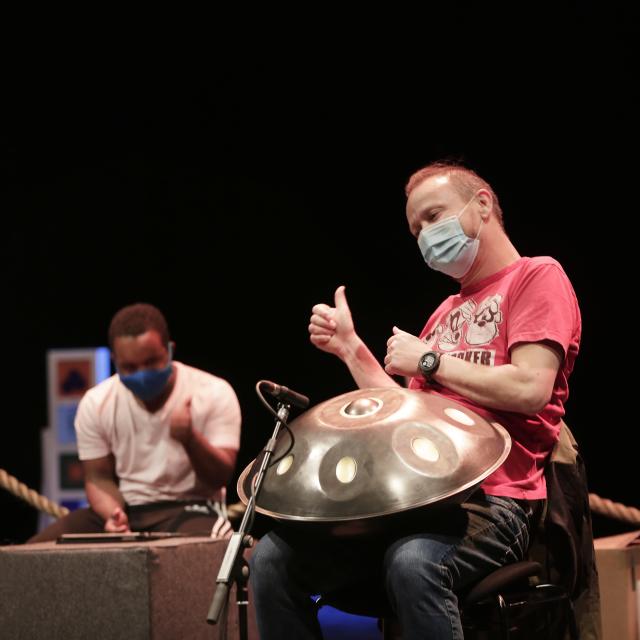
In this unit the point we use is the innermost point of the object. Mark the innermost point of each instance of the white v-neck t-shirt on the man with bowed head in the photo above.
(151, 465)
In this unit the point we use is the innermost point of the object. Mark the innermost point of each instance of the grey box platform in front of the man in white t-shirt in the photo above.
(156, 590)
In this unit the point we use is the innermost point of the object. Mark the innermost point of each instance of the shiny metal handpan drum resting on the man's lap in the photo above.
(363, 456)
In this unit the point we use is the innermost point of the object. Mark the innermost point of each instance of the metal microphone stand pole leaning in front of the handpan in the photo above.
(234, 567)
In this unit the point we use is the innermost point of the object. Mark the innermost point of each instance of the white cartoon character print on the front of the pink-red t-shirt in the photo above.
(469, 324)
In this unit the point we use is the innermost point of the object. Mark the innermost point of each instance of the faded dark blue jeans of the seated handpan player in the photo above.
(422, 569)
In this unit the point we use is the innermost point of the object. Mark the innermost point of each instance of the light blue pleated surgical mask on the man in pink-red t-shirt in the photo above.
(447, 248)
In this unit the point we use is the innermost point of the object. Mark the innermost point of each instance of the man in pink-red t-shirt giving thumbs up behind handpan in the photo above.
(504, 346)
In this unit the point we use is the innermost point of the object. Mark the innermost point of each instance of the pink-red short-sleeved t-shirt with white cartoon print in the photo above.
(529, 301)
